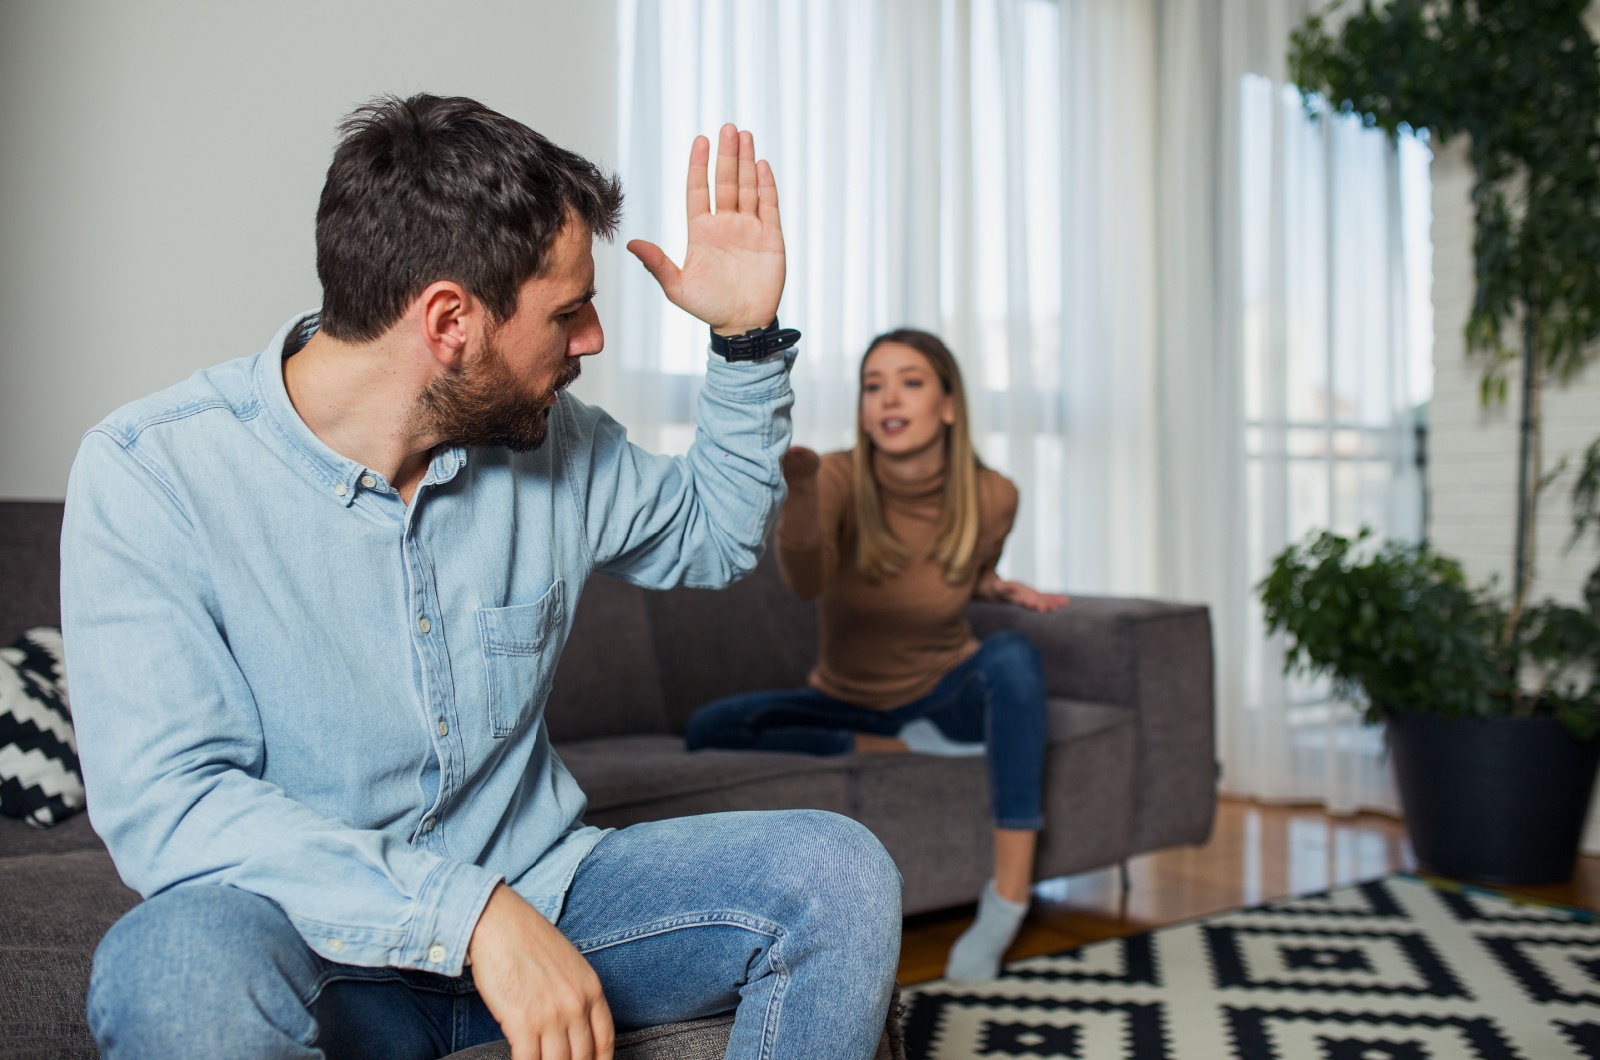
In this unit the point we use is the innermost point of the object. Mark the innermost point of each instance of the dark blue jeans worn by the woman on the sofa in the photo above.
(996, 697)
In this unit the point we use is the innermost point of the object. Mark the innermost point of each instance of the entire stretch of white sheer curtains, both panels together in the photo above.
(1185, 313)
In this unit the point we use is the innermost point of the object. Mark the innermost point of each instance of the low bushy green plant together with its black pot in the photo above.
(1495, 744)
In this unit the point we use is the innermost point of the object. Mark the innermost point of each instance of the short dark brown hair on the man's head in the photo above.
(433, 188)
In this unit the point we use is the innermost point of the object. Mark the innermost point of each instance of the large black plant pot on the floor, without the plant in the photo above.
(1498, 800)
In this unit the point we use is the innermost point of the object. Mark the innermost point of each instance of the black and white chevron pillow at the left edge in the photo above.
(39, 755)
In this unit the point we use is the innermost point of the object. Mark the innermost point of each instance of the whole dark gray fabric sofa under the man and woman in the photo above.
(1130, 768)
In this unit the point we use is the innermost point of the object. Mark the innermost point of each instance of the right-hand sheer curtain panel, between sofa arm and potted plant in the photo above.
(1295, 359)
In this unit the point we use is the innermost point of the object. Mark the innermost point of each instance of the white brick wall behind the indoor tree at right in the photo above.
(1473, 451)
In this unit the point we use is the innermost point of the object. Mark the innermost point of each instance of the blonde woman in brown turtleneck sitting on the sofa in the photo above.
(897, 537)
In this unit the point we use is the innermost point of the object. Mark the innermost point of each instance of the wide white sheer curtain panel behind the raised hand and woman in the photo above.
(942, 166)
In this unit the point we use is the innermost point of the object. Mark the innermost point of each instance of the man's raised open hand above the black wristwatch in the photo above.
(734, 270)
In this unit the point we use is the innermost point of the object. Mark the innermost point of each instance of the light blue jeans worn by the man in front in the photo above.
(793, 918)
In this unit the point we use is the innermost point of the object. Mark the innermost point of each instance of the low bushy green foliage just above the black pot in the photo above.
(1401, 628)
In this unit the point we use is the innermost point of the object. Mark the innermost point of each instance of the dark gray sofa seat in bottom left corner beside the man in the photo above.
(54, 912)
